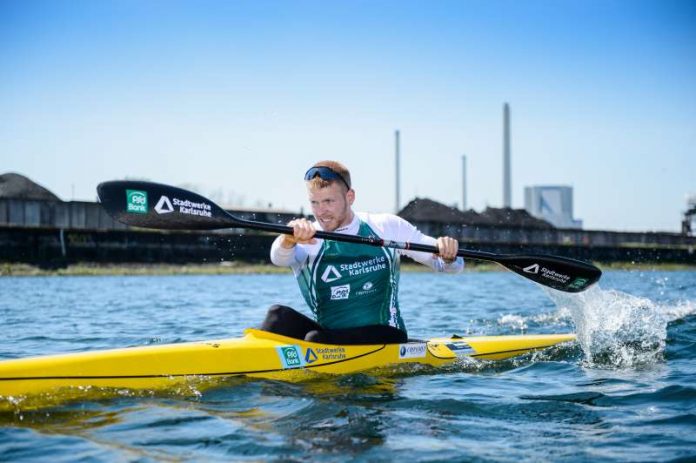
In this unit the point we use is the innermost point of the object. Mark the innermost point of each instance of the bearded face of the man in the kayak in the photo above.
(331, 205)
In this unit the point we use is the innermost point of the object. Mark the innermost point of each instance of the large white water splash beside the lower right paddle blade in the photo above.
(617, 329)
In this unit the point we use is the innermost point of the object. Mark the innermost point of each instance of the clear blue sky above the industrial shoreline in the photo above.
(239, 98)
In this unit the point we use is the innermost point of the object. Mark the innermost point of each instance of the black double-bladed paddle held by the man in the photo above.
(153, 205)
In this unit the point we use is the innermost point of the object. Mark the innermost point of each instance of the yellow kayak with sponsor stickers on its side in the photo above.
(257, 354)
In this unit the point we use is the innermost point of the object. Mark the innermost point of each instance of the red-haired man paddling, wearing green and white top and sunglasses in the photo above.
(352, 289)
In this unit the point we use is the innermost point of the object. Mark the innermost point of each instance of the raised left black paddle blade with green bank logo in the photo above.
(152, 205)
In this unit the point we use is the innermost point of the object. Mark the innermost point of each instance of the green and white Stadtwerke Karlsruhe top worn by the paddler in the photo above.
(349, 285)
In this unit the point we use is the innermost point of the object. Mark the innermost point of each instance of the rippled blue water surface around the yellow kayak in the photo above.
(626, 391)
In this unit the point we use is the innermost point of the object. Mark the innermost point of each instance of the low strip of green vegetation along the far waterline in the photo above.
(242, 268)
